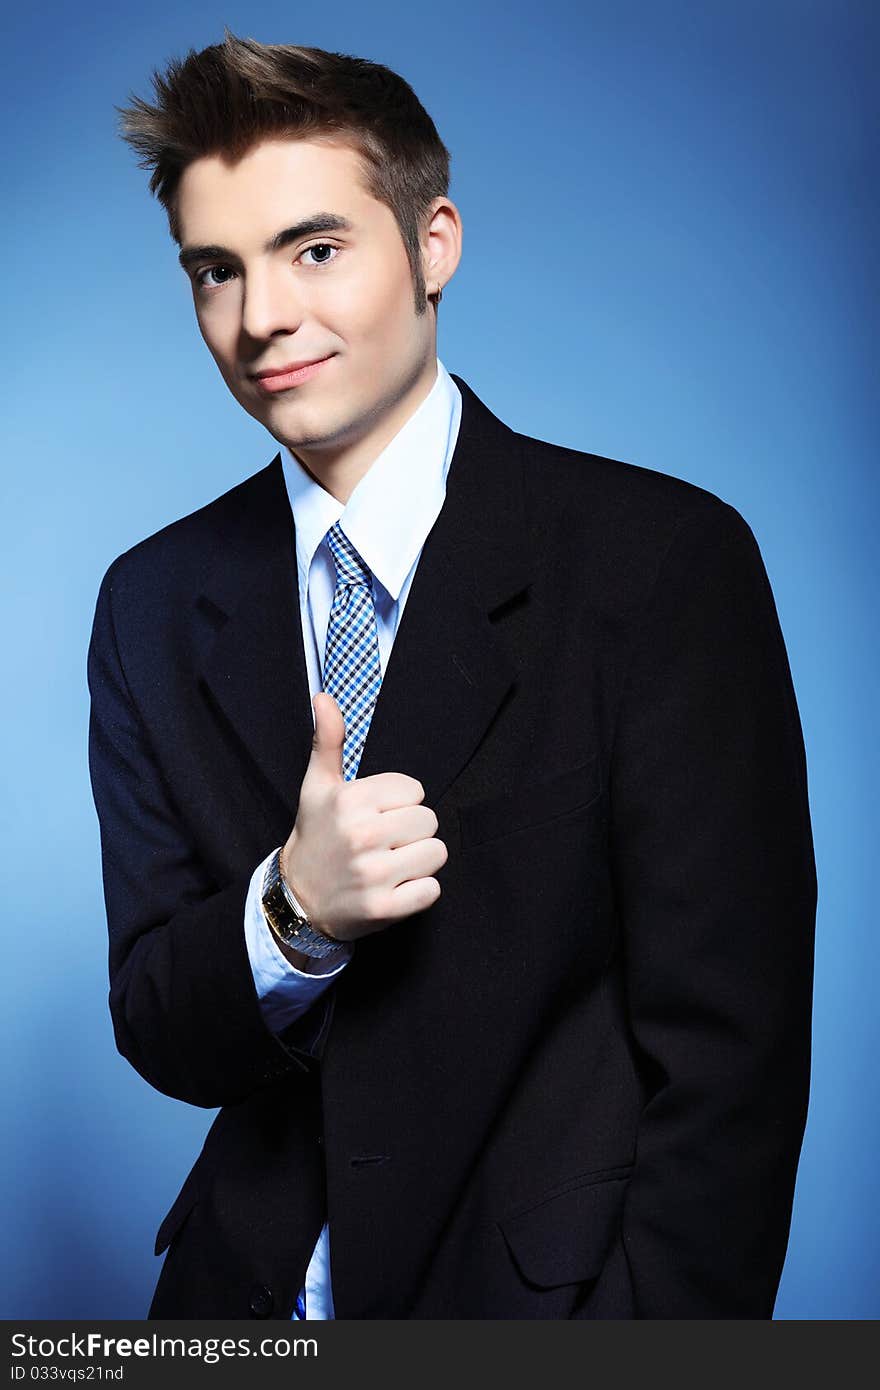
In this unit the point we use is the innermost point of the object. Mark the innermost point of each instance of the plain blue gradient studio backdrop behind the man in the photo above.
(668, 216)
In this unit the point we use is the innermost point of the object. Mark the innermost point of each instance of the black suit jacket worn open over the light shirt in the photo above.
(576, 1086)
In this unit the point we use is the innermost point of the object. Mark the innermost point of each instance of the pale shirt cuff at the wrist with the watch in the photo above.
(284, 992)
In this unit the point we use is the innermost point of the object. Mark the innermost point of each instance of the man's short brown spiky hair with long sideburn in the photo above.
(233, 95)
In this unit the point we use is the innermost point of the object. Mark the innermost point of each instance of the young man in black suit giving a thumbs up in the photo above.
(451, 786)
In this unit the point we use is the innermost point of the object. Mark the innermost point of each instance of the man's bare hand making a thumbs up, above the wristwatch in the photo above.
(362, 854)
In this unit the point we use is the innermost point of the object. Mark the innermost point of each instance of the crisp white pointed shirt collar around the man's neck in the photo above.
(394, 507)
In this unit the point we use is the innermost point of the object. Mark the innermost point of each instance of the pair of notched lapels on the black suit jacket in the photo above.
(448, 671)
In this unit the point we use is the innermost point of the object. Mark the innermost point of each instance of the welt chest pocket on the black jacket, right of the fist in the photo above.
(530, 806)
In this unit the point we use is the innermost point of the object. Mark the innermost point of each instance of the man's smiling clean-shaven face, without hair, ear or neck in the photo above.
(344, 295)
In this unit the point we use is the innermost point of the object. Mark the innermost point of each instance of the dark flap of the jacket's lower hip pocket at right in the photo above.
(565, 1238)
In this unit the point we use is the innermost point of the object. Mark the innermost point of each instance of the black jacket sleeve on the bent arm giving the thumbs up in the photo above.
(183, 997)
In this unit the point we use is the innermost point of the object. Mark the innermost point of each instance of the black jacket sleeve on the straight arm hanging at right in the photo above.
(715, 878)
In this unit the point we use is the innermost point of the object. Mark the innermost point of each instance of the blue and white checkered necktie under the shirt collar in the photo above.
(352, 671)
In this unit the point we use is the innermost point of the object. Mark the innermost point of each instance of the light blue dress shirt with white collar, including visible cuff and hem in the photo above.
(387, 519)
